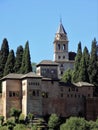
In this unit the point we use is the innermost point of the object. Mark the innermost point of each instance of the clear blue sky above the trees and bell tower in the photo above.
(37, 21)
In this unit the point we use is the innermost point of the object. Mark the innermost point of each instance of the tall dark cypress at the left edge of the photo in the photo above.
(3, 56)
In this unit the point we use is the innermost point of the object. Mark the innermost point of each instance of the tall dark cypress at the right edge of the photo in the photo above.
(93, 64)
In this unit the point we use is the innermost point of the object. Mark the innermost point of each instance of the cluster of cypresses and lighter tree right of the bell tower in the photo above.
(85, 67)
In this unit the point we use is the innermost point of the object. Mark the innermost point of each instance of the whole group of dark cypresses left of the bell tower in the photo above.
(14, 63)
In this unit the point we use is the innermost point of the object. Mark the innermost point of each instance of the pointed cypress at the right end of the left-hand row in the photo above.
(26, 60)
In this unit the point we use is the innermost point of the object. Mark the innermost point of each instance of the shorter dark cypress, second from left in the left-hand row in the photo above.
(9, 66)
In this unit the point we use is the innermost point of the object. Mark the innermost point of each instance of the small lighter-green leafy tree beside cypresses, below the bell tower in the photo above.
(67, 76)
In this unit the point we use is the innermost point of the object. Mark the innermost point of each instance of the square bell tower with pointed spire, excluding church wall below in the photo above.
(61, 45)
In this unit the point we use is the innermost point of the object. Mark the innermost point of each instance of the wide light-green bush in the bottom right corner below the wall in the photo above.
(77, 123)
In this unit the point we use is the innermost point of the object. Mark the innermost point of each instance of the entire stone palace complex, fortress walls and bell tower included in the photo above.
(42, 93)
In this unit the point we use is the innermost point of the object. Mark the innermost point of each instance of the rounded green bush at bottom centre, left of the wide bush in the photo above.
(53, 121)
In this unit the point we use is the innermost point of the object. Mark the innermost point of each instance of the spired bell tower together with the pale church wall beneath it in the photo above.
(61, 54)
